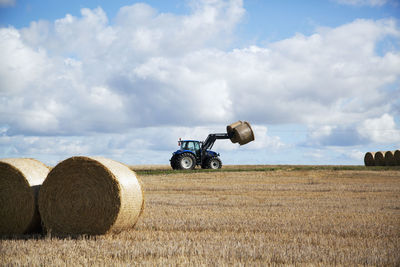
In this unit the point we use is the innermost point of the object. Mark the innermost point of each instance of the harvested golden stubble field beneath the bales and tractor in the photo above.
(270, 215)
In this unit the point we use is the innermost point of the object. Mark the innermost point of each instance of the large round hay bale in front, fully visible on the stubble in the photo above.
(90, 195)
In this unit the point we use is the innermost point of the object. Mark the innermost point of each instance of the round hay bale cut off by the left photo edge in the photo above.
(20, 180)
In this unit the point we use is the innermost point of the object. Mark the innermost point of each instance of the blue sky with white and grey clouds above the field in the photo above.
(318, 80)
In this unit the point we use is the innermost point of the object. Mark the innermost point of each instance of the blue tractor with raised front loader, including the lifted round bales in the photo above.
(193, 152)
